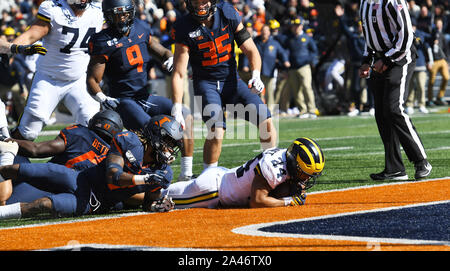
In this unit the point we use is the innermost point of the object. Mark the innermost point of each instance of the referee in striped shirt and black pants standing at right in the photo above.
(389, 61)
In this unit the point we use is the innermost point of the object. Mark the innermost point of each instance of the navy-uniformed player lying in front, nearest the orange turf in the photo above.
(136, 163)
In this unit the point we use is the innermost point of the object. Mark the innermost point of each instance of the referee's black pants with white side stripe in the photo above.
(394, 125)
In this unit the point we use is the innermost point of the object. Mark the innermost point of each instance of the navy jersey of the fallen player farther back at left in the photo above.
(84, 148)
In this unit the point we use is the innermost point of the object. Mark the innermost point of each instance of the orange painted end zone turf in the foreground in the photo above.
(212, 228)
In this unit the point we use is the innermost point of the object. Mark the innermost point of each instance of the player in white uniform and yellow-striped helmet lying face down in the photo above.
(274, 178)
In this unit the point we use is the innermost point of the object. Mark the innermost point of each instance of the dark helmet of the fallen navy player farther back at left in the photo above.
(106, 124)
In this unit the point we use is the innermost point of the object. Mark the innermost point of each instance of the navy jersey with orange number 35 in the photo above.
(211, 51)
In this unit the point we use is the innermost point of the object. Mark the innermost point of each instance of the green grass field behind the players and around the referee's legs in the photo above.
(352, 148)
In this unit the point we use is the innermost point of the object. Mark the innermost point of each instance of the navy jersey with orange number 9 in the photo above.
(127, 58)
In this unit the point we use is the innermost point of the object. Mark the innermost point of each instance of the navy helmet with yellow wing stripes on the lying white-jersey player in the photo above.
(305, 161)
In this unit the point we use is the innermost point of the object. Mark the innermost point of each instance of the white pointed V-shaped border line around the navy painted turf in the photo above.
(253, 230)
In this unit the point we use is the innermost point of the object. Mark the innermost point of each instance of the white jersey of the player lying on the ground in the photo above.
(236, 184)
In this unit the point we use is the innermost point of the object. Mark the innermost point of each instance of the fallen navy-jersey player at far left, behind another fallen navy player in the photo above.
(77, 147)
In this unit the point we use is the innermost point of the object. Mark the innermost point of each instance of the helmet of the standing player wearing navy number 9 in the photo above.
(119, 14)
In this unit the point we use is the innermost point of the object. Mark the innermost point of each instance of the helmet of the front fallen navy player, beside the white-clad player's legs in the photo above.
(165, 135)
